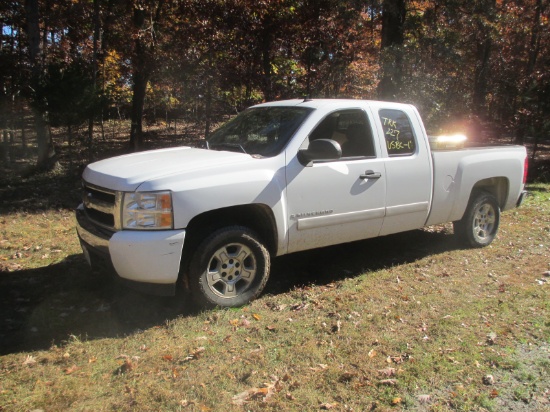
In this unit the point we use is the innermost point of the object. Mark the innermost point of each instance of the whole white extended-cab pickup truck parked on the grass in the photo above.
(280, 178)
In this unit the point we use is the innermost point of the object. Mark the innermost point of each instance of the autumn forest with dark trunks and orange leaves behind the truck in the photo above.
(76, 64)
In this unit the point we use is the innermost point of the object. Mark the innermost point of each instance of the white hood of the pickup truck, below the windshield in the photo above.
(128, 172)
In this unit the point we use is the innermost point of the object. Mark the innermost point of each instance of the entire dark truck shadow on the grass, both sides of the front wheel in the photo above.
(50, 305)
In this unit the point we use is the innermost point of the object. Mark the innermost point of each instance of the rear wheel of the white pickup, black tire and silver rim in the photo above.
(479, 225)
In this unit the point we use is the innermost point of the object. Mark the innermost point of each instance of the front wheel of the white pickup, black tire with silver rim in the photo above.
(229, 268)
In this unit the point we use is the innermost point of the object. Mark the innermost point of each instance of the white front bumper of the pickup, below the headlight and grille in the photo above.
(150, 259)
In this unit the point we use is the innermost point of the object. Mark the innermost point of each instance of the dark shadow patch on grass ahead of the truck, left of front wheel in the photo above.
(49, 305)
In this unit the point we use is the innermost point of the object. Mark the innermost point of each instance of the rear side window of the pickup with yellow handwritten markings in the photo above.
(398, 133)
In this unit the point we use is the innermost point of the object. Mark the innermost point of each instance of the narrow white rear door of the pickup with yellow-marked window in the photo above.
(408, 171)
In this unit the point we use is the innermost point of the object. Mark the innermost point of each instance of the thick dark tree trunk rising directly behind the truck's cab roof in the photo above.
(393, 31)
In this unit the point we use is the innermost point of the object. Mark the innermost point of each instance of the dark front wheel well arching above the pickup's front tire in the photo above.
(257, 217)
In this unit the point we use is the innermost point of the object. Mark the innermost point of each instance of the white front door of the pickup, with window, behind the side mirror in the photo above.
(341, 200)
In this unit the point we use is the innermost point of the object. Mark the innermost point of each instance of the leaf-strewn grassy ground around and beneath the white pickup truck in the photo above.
(405, 322)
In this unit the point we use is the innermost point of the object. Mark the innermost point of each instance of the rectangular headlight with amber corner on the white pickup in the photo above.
(147, 210)
